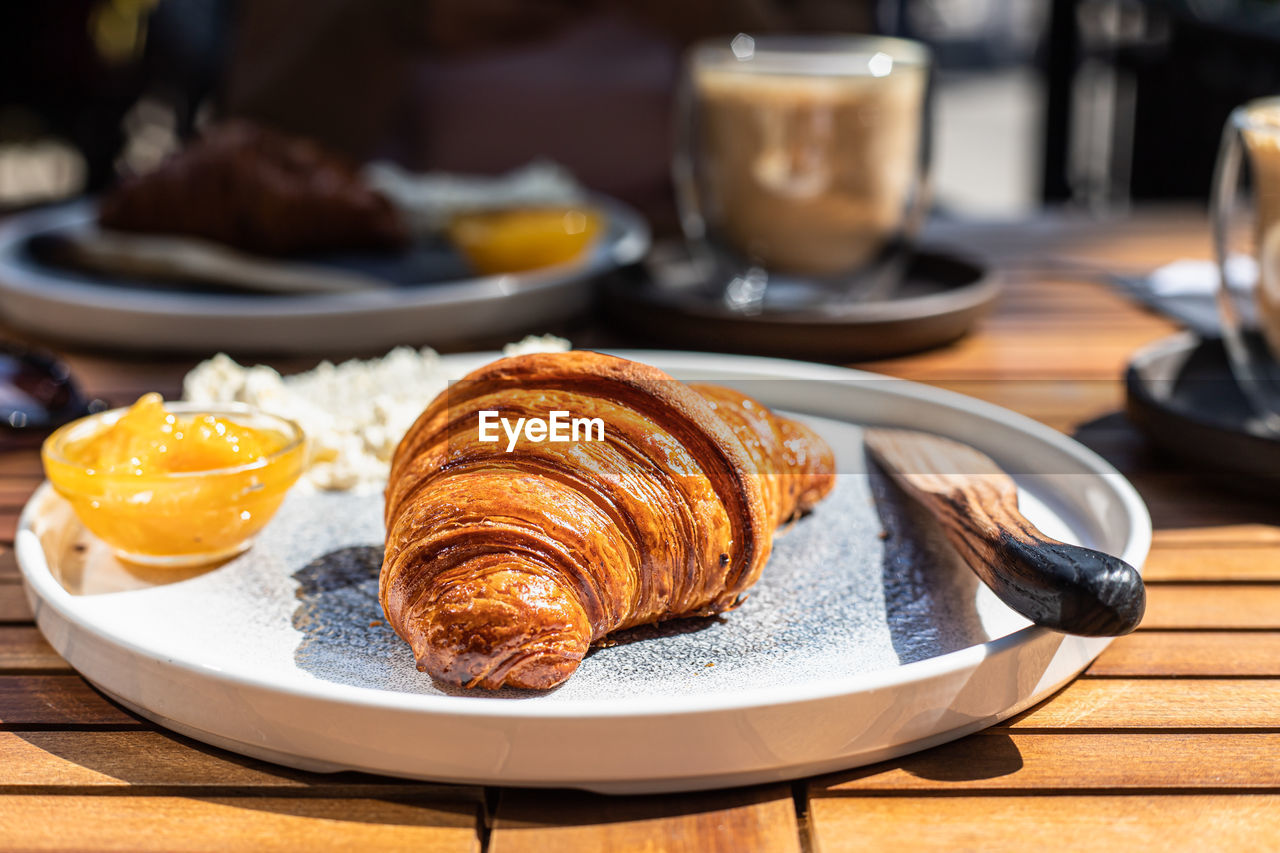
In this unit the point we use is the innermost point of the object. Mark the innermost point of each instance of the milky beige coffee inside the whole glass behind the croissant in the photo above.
(811, 171)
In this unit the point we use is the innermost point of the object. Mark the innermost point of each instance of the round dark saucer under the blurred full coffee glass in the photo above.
(941, 298)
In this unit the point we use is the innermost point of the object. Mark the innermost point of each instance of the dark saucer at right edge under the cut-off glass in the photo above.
(1183, 398)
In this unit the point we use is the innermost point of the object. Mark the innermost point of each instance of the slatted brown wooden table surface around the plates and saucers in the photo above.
(1171, 741)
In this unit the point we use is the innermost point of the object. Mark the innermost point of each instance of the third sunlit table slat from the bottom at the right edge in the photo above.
(1159, 704)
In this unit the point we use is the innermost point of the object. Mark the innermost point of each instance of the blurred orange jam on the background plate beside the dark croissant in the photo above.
(514, 241)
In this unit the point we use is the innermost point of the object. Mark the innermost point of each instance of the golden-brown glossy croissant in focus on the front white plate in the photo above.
(504, 568)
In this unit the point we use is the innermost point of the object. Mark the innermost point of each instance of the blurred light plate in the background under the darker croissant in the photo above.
(71, 307)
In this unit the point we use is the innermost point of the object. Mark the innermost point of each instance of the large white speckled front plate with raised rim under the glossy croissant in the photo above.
(852, 650)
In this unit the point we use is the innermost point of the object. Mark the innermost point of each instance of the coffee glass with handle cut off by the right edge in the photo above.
(1246, 218)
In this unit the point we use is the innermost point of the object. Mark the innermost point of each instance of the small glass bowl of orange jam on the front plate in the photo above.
(176, 486)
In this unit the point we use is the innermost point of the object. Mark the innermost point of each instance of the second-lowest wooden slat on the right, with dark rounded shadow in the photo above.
(1003, 761)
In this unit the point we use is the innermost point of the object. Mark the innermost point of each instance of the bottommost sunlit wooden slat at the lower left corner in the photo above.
(44, 823)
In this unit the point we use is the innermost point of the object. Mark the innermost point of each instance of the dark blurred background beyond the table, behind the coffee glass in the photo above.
(1099, 104)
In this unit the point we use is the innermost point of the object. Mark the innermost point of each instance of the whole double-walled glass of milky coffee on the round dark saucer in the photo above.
(802, 166)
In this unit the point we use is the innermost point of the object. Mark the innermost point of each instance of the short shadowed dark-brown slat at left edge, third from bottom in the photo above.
(57, 701)
